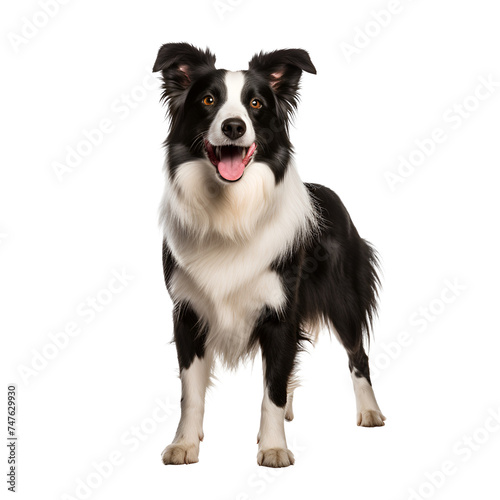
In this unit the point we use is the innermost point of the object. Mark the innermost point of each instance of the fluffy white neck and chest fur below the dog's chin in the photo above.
(224, 239)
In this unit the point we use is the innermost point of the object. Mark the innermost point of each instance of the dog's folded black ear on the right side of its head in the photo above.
(283, 69)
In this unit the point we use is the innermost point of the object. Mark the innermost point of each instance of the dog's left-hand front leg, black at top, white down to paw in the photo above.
(195, 369)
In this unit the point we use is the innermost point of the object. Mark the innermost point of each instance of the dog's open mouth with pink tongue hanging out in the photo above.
(230, 161)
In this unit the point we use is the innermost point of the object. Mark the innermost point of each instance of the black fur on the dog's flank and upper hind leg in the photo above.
(341, 286)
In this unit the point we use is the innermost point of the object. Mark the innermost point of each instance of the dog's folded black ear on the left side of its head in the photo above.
(180, 63)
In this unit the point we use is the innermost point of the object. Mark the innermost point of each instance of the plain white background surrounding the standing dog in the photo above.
(61, 240)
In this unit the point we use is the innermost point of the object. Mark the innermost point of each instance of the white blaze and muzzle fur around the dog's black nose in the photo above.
(232, 108)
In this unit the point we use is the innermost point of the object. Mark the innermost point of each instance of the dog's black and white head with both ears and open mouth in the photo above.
(230, 118)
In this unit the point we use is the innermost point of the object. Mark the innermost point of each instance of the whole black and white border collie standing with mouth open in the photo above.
(253, 258)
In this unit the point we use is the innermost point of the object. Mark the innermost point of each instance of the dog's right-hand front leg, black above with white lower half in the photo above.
(278, 341)
